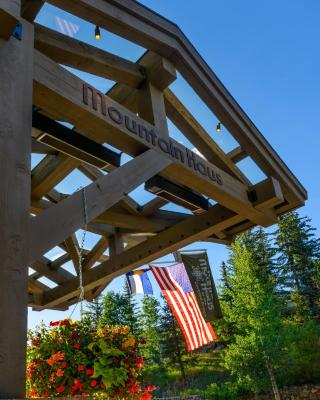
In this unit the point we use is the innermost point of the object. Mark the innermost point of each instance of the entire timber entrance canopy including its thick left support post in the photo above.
(37, 91)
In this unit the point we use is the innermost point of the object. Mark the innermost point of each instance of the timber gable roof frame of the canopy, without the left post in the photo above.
(132, 117)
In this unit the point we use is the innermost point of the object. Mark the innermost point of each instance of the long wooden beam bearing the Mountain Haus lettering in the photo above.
(61, 92)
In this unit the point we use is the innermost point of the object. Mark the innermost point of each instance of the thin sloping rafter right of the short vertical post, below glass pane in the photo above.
(198, 136)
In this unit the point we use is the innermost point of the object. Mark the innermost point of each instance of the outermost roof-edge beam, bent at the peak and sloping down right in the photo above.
(148, 29)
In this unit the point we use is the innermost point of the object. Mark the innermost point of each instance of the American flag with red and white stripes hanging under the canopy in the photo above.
(177, 290)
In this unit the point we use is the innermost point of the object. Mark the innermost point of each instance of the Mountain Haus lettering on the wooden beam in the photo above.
(166, 145)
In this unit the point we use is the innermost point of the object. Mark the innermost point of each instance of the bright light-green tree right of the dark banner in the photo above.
(255, 313)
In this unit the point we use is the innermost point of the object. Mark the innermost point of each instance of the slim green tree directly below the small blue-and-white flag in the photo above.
(150, 330)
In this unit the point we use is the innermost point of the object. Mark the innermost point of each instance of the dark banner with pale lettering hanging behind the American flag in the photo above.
(199, 272)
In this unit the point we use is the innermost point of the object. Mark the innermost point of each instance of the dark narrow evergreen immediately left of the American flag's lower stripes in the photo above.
(173, 345)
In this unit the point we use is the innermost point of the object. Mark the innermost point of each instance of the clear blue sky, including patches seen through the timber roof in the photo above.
(267, 54)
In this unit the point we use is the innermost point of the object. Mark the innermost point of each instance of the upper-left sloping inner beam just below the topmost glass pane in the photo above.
(76, 54)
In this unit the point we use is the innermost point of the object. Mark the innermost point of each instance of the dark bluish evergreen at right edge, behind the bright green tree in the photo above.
(298, 261)
